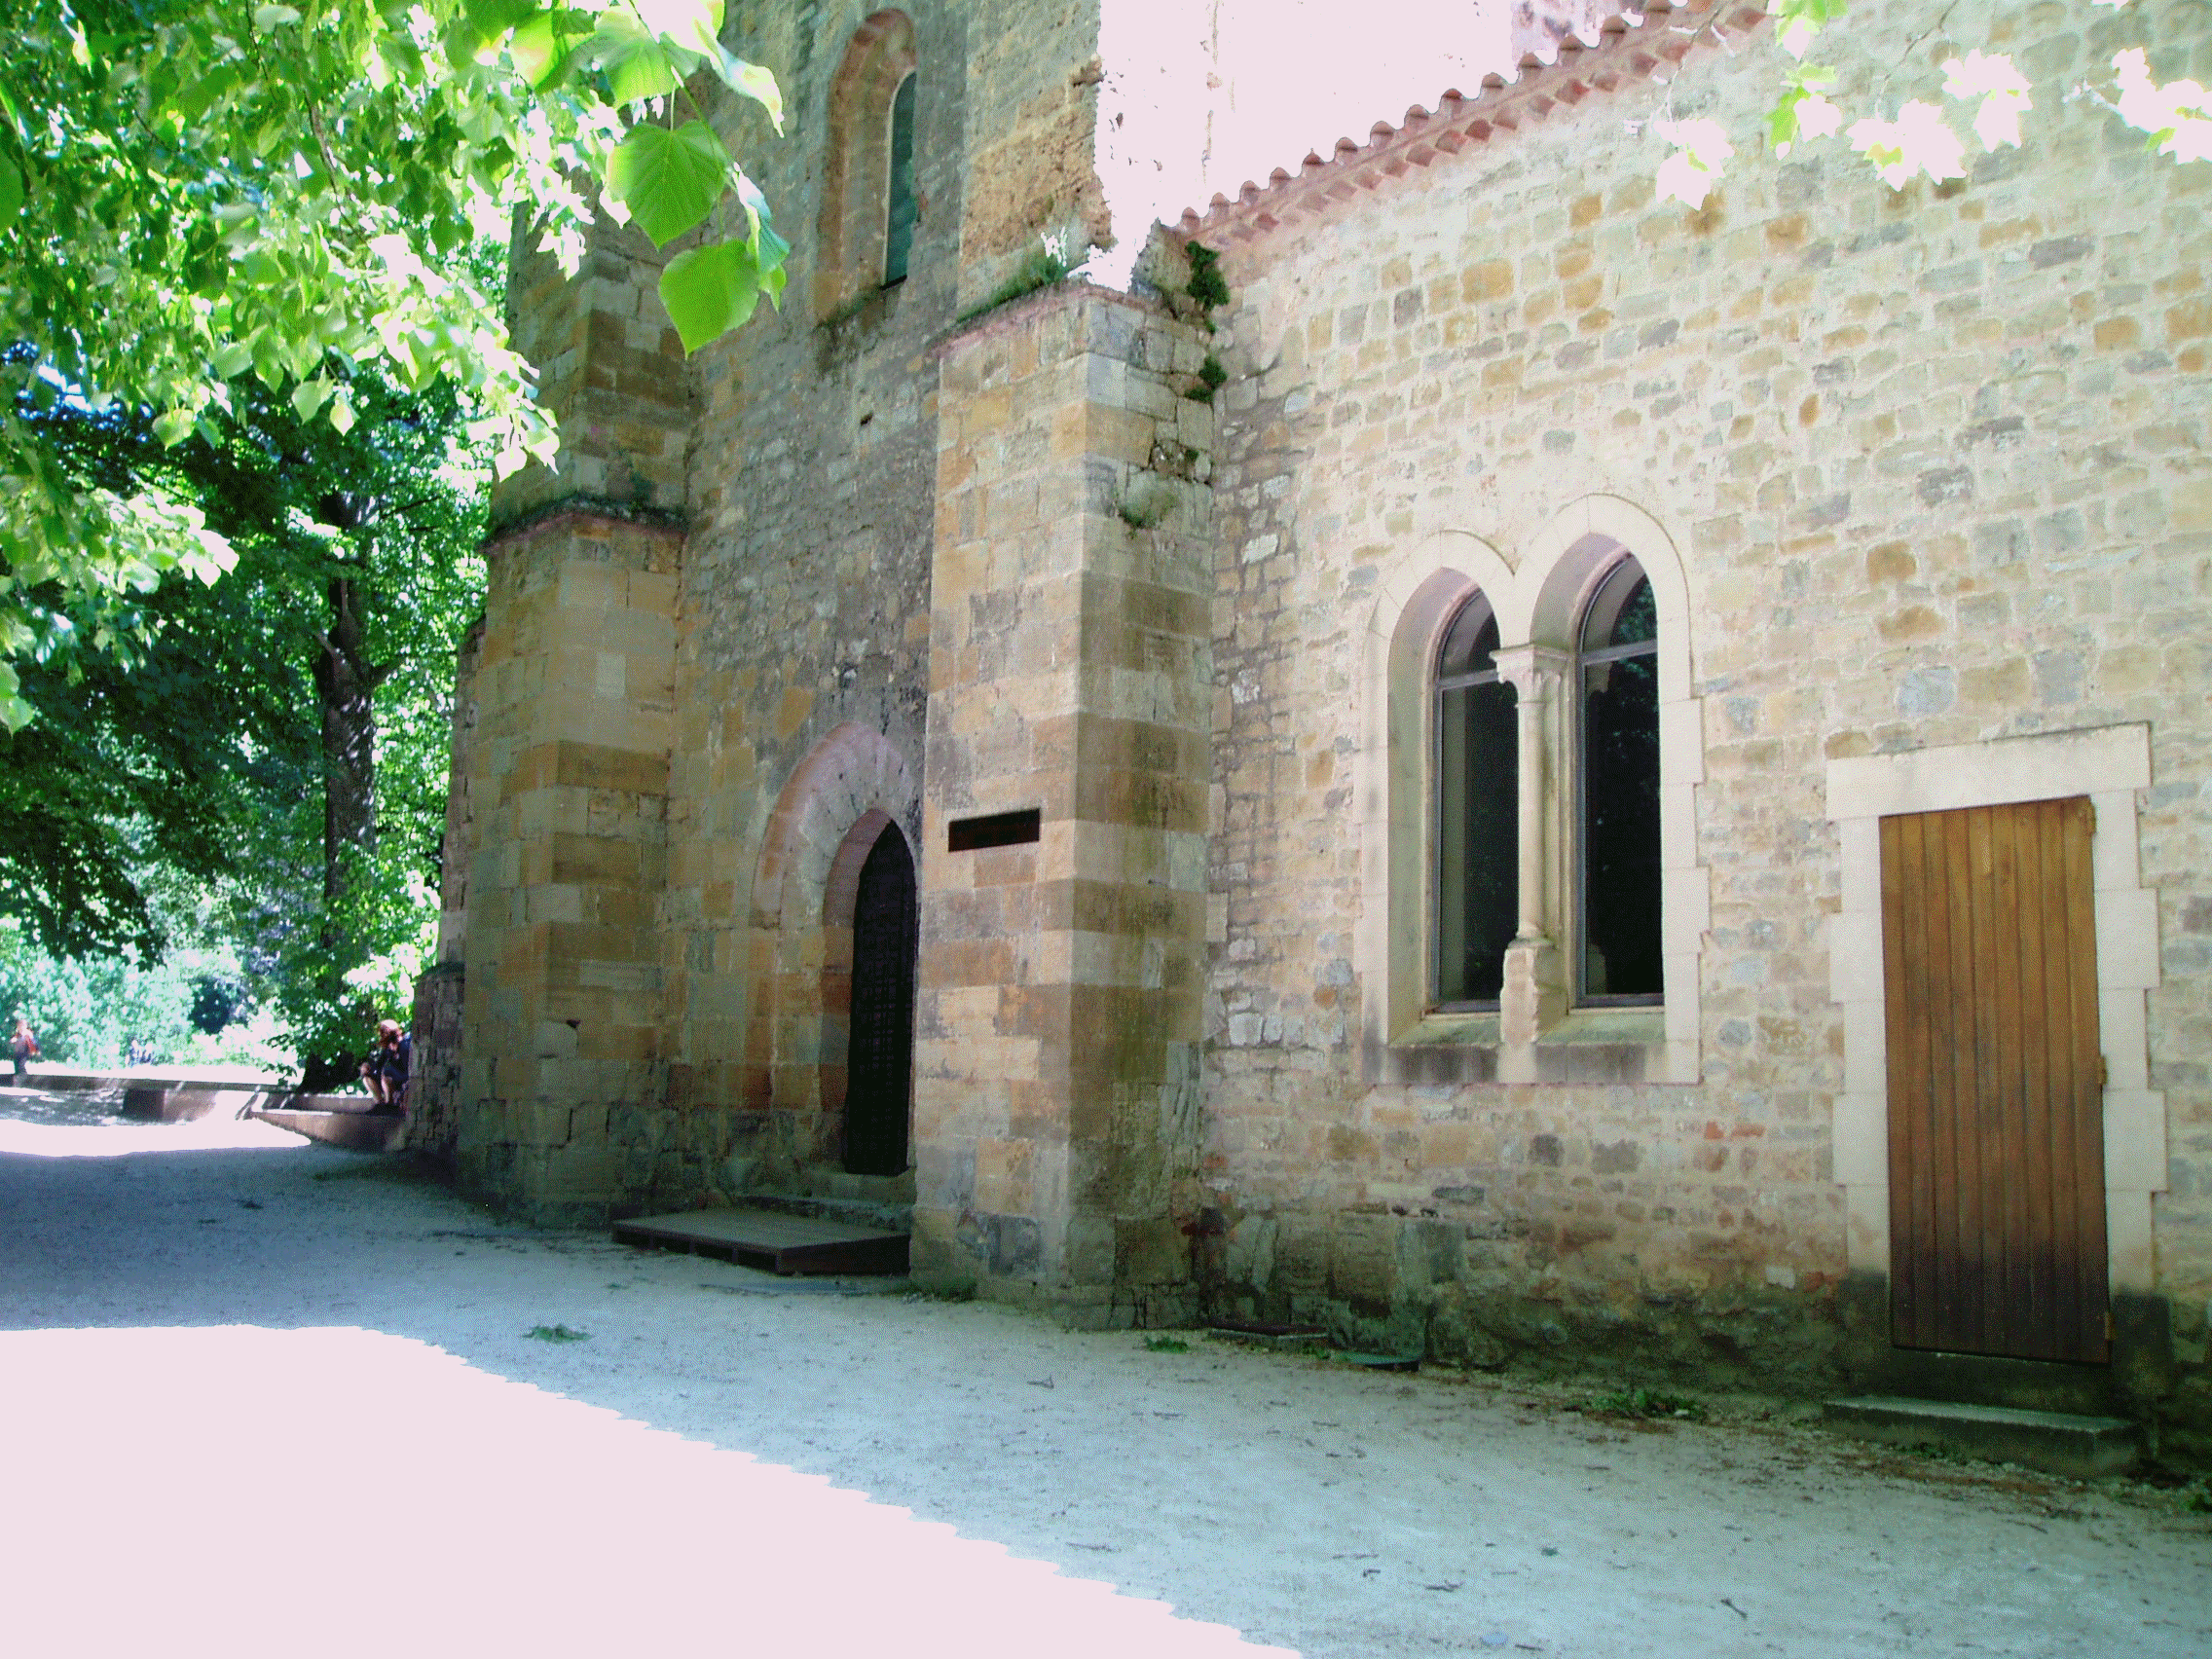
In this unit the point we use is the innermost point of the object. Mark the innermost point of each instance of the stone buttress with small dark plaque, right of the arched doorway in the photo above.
(1058, 1005)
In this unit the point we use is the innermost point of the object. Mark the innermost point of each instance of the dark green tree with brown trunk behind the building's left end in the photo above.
(284, 738)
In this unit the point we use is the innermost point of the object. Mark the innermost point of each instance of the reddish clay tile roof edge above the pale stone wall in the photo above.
(1629, 45)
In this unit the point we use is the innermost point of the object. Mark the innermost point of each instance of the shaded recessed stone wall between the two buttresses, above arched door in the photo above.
(806, 592)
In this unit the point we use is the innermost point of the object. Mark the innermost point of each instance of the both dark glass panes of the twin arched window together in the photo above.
(1611, 800)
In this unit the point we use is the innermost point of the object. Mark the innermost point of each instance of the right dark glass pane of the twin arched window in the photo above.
(1620, 791)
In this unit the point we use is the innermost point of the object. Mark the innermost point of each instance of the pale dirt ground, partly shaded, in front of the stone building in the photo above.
(267, 1397)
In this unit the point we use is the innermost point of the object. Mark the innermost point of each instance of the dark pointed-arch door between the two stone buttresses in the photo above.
(879, 1061)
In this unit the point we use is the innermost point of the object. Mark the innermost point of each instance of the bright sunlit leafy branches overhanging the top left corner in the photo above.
(213, 200)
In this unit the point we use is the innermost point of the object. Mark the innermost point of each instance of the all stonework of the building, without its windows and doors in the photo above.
(1934, 468)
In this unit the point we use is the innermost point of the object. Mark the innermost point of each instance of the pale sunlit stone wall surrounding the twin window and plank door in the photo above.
(1937, 468)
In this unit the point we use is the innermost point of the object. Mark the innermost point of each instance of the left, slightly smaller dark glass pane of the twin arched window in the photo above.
(1479, 813)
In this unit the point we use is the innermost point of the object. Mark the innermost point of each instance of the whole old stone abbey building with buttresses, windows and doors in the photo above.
(1437, 747)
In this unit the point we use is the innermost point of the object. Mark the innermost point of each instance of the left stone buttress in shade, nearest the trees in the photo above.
(570, 784)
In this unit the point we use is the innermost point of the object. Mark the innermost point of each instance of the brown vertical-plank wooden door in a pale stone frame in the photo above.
(1996, 1083)
